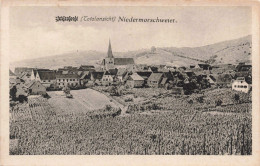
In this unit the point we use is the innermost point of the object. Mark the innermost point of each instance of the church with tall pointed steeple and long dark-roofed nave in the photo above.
(110, 62)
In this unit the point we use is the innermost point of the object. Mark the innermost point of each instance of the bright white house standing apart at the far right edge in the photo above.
(241, 85)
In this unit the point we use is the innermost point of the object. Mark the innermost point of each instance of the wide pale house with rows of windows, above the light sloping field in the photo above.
(69, 80)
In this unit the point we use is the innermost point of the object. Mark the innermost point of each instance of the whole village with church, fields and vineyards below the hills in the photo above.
(131, 101)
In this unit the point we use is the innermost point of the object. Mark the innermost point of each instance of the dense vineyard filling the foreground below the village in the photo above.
(39, 129)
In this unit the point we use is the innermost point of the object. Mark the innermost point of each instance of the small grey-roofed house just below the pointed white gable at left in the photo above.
(36, 88)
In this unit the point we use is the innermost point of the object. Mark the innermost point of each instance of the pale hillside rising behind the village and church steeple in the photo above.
(232, 51)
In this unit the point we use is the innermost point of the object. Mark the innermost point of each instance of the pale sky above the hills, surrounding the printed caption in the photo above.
(34, 33)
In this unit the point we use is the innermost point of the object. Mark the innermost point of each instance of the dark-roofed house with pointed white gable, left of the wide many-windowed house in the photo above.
(47, 78)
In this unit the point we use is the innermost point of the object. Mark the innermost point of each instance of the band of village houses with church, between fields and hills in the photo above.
(123, 71)
